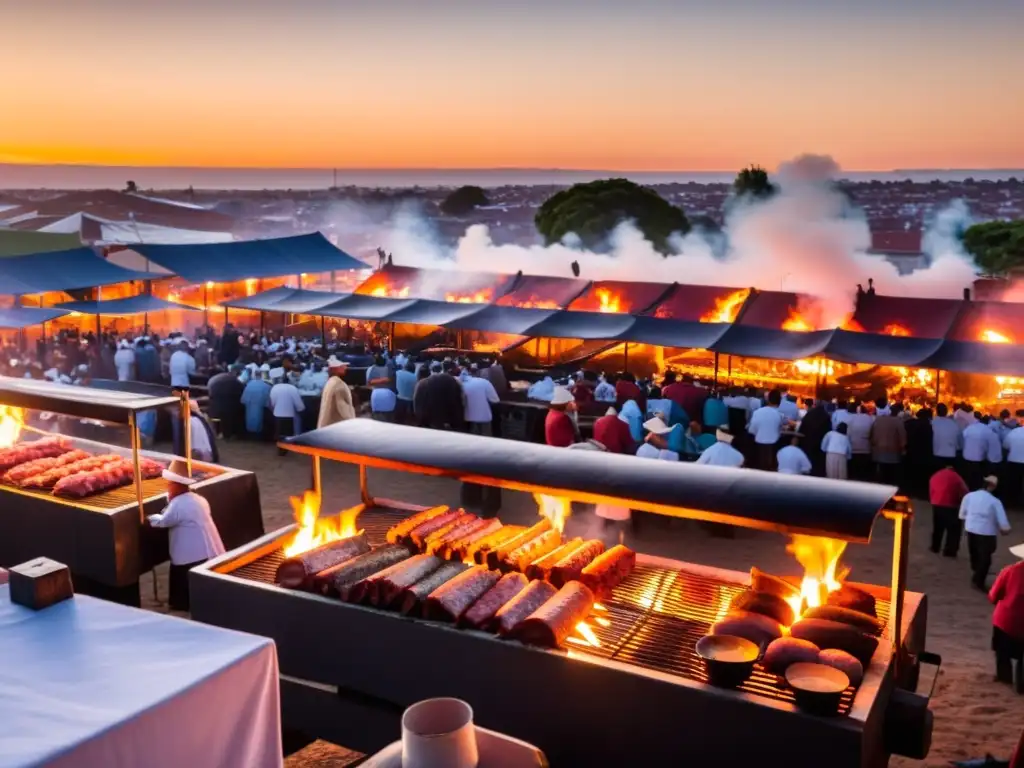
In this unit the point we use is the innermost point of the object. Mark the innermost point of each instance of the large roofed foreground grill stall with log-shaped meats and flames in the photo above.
(612, 652)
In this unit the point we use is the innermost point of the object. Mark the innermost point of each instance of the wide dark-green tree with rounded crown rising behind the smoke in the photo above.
(593, 210)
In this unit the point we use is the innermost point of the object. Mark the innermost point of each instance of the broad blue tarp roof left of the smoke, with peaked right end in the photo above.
(226, 263)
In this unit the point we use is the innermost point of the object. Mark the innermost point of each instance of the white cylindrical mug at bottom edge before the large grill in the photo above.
(439, 734)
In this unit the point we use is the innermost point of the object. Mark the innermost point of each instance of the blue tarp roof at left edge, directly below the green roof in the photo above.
(62, 271)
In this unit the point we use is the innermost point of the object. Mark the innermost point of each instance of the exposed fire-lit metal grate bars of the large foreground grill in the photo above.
(653, 620)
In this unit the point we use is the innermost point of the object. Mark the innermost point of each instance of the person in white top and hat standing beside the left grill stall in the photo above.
(193, 534)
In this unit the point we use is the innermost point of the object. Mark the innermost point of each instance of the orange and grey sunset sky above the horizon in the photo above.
(591, 84)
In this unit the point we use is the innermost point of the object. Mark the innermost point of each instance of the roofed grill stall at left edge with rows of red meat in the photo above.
(84, 502)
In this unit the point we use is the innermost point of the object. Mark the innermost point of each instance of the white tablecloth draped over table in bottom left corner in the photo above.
(93, 685)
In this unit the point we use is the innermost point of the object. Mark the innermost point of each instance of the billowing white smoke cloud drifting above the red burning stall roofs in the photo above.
(807, 239)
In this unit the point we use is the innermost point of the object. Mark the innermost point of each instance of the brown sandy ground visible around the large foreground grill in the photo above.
(973, 715)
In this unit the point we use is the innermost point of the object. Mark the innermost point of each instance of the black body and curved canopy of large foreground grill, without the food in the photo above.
(639, 699)
